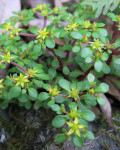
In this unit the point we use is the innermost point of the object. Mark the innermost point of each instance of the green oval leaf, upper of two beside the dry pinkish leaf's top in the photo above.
(102, 88)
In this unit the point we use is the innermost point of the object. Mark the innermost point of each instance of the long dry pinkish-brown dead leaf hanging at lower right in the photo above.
(106, 109)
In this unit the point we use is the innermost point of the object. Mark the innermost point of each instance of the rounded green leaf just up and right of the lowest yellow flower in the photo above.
(88, 115)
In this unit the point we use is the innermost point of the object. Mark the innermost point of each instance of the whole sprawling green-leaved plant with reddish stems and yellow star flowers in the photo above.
(59, 66)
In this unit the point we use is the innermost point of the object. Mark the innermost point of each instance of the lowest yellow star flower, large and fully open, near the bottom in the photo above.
(75, 127)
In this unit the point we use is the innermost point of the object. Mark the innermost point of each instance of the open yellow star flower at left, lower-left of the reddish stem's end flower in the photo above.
(21, 80)
